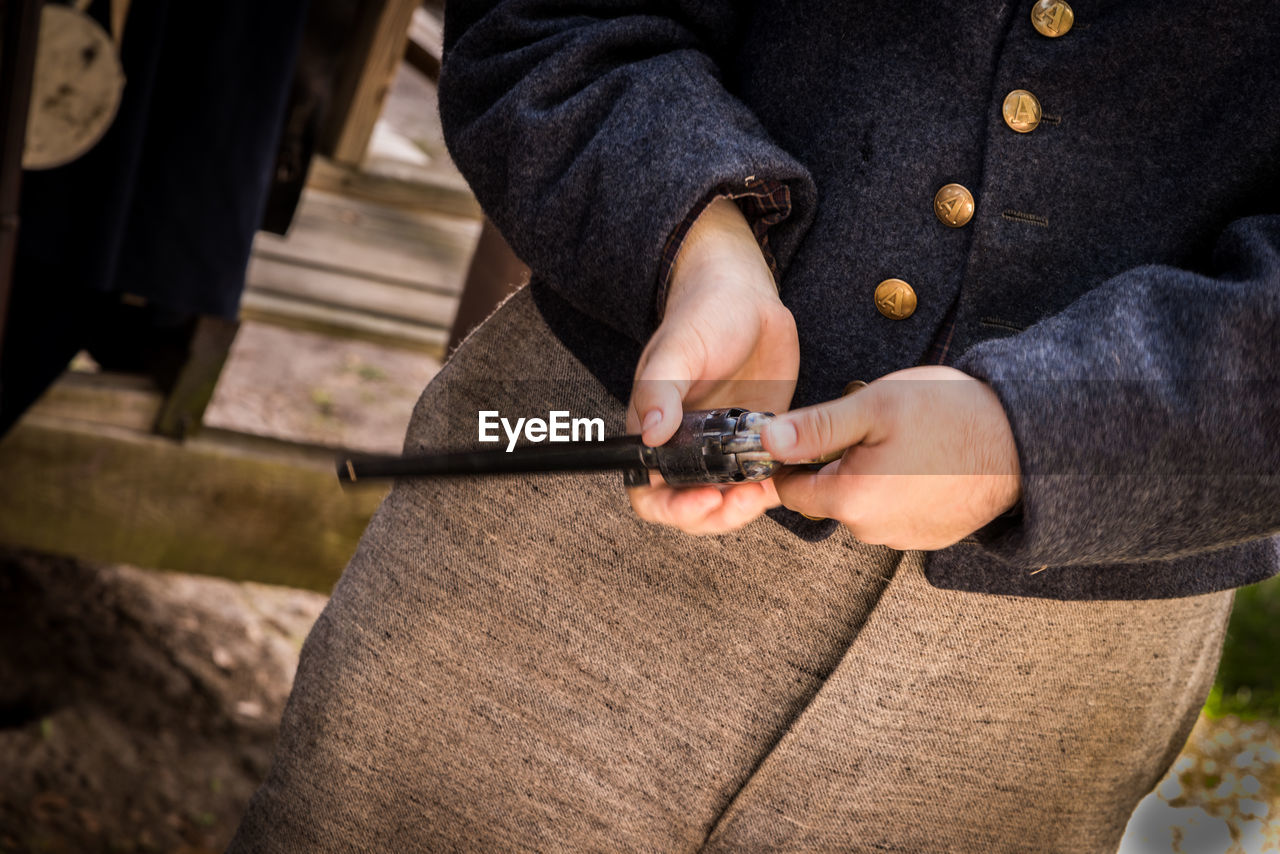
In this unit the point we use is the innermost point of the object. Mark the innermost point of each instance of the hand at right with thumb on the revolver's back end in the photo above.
(930, 460)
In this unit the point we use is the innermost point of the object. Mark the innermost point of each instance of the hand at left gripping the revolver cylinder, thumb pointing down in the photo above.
(726, 340)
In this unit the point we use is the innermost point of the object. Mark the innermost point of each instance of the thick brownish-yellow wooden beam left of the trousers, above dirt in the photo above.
(109, 495)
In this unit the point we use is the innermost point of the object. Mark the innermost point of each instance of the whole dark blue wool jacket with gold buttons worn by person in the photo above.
(1119, 285)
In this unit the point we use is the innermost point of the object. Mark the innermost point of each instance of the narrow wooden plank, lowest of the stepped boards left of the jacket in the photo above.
(294, 314)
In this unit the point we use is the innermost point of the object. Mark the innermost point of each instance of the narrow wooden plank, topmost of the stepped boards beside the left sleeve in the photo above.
(435, 189)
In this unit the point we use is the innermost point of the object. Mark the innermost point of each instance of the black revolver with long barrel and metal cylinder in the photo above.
(711, 447)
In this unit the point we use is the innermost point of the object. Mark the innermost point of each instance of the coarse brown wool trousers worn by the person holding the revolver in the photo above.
(520, 665)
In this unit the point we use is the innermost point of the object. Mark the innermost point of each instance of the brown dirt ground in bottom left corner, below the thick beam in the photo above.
(138, 710)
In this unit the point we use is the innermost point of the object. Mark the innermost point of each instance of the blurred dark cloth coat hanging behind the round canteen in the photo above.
(167, 204)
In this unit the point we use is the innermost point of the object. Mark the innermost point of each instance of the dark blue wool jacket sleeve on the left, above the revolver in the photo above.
(588, 131)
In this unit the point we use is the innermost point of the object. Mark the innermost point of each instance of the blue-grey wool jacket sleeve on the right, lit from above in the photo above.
(1148, 415)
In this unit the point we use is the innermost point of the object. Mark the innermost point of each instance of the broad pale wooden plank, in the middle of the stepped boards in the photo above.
(418, 250)
